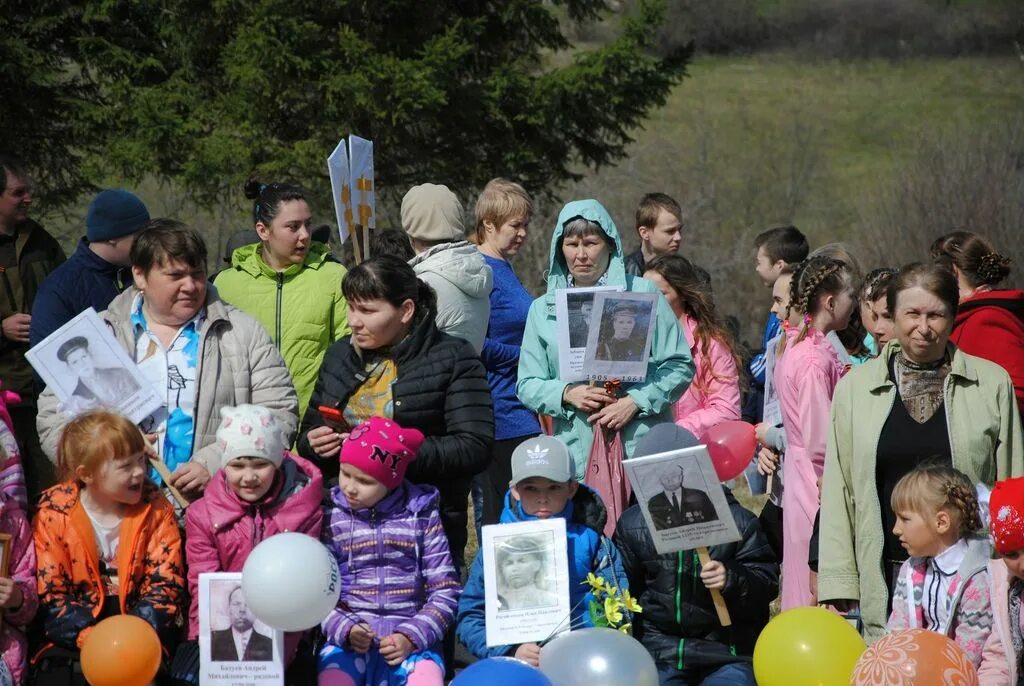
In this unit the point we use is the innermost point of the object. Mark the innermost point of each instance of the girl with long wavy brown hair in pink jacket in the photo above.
(714, 396)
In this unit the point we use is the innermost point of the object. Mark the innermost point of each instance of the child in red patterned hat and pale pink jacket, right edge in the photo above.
(1004, 652)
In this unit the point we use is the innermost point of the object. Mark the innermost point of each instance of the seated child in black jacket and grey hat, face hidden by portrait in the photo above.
(679, 625)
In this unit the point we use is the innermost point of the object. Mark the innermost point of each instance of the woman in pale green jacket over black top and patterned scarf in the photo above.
(922, 399)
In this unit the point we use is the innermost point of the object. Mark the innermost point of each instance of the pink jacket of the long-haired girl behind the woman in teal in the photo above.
(717, 400)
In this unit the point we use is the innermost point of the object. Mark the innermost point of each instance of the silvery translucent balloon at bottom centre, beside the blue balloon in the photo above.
(598, 658)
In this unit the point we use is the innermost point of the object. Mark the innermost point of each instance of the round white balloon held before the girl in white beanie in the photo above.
(291, 582)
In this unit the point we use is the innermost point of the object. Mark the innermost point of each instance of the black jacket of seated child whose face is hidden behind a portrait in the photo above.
(679, 625)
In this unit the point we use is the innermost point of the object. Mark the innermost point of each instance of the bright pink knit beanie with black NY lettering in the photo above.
(382, 450)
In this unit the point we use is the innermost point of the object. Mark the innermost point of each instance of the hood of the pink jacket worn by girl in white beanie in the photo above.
(297, 481)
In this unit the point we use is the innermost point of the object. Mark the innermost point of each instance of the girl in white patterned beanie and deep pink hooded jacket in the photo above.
(261, 491)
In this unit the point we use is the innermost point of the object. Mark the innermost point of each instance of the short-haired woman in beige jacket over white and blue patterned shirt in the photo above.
(198, 354)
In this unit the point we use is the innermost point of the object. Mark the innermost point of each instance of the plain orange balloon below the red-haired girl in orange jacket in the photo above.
(122, 651)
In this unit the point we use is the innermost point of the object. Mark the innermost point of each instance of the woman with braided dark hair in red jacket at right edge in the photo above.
(990, 322)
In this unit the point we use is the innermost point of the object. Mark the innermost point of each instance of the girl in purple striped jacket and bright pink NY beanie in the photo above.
(399, 587)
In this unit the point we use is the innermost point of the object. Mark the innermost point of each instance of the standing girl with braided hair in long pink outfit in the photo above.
(807, 370)
